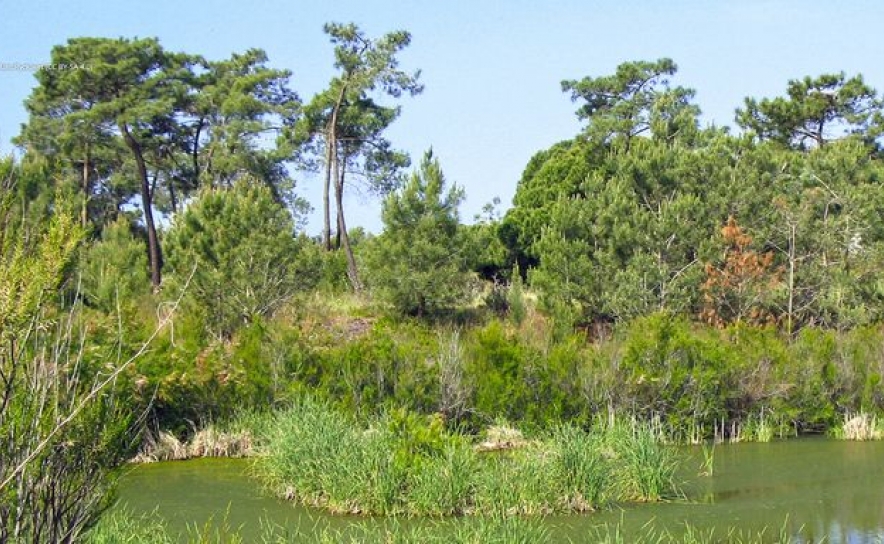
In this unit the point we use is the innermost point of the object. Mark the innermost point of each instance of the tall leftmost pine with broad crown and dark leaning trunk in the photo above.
(123, 100)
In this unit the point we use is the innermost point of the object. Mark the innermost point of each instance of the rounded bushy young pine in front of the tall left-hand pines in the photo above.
(248, 262)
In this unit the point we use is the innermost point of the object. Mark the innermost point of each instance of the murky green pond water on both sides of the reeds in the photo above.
(828, 489)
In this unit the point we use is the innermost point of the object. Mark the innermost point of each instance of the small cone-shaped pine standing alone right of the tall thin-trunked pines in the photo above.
(417, 264)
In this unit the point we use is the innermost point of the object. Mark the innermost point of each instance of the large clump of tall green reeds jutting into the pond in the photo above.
(404, 465)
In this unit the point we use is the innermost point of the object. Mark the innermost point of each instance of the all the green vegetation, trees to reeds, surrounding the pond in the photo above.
(656, 282)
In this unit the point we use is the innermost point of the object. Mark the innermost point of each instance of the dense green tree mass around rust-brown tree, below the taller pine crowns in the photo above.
(639, 229)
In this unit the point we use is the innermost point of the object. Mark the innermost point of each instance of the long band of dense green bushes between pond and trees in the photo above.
(695, 380)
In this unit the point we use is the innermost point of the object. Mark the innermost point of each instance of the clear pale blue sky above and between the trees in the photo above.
(492, 69)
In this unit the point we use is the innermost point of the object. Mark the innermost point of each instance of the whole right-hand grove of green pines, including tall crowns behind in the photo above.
(622, 221)
